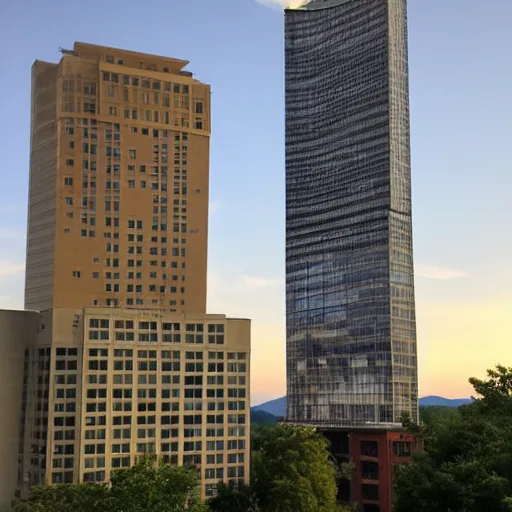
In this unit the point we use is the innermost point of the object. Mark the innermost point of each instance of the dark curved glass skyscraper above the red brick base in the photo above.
(351, 331)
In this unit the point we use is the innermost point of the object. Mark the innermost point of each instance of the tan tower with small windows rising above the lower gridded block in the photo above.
(119, 173)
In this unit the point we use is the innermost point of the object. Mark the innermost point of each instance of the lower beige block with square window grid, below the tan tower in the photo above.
(117, 384)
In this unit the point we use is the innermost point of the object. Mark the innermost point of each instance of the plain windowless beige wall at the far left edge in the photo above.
(17, 331)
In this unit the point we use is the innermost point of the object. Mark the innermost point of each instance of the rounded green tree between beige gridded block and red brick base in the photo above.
(291, 472)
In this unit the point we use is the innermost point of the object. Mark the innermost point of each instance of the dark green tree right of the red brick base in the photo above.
(467, 464)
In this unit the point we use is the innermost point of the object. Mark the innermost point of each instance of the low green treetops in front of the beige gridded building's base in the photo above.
(145, 487)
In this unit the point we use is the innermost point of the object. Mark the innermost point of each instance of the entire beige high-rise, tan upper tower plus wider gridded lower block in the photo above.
(117, 357)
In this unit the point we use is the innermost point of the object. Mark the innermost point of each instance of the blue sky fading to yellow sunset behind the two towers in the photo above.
(460, 78)
